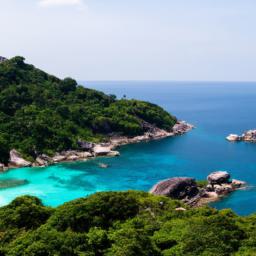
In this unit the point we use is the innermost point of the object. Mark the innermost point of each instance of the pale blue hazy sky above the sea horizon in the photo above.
(186, 40)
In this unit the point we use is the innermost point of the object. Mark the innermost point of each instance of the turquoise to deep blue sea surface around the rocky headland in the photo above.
(216, 109)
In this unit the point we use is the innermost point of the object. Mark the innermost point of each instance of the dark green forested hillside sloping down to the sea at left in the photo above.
(40, 113)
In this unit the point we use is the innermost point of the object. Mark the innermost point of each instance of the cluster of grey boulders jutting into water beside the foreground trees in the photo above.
(217, 186)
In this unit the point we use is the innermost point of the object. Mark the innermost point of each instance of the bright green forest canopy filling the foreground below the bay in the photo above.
(123, 224)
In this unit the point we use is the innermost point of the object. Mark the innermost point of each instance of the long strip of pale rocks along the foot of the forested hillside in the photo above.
(89, 150)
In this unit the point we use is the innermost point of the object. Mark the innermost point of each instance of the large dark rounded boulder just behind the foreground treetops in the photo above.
(177, 188)
